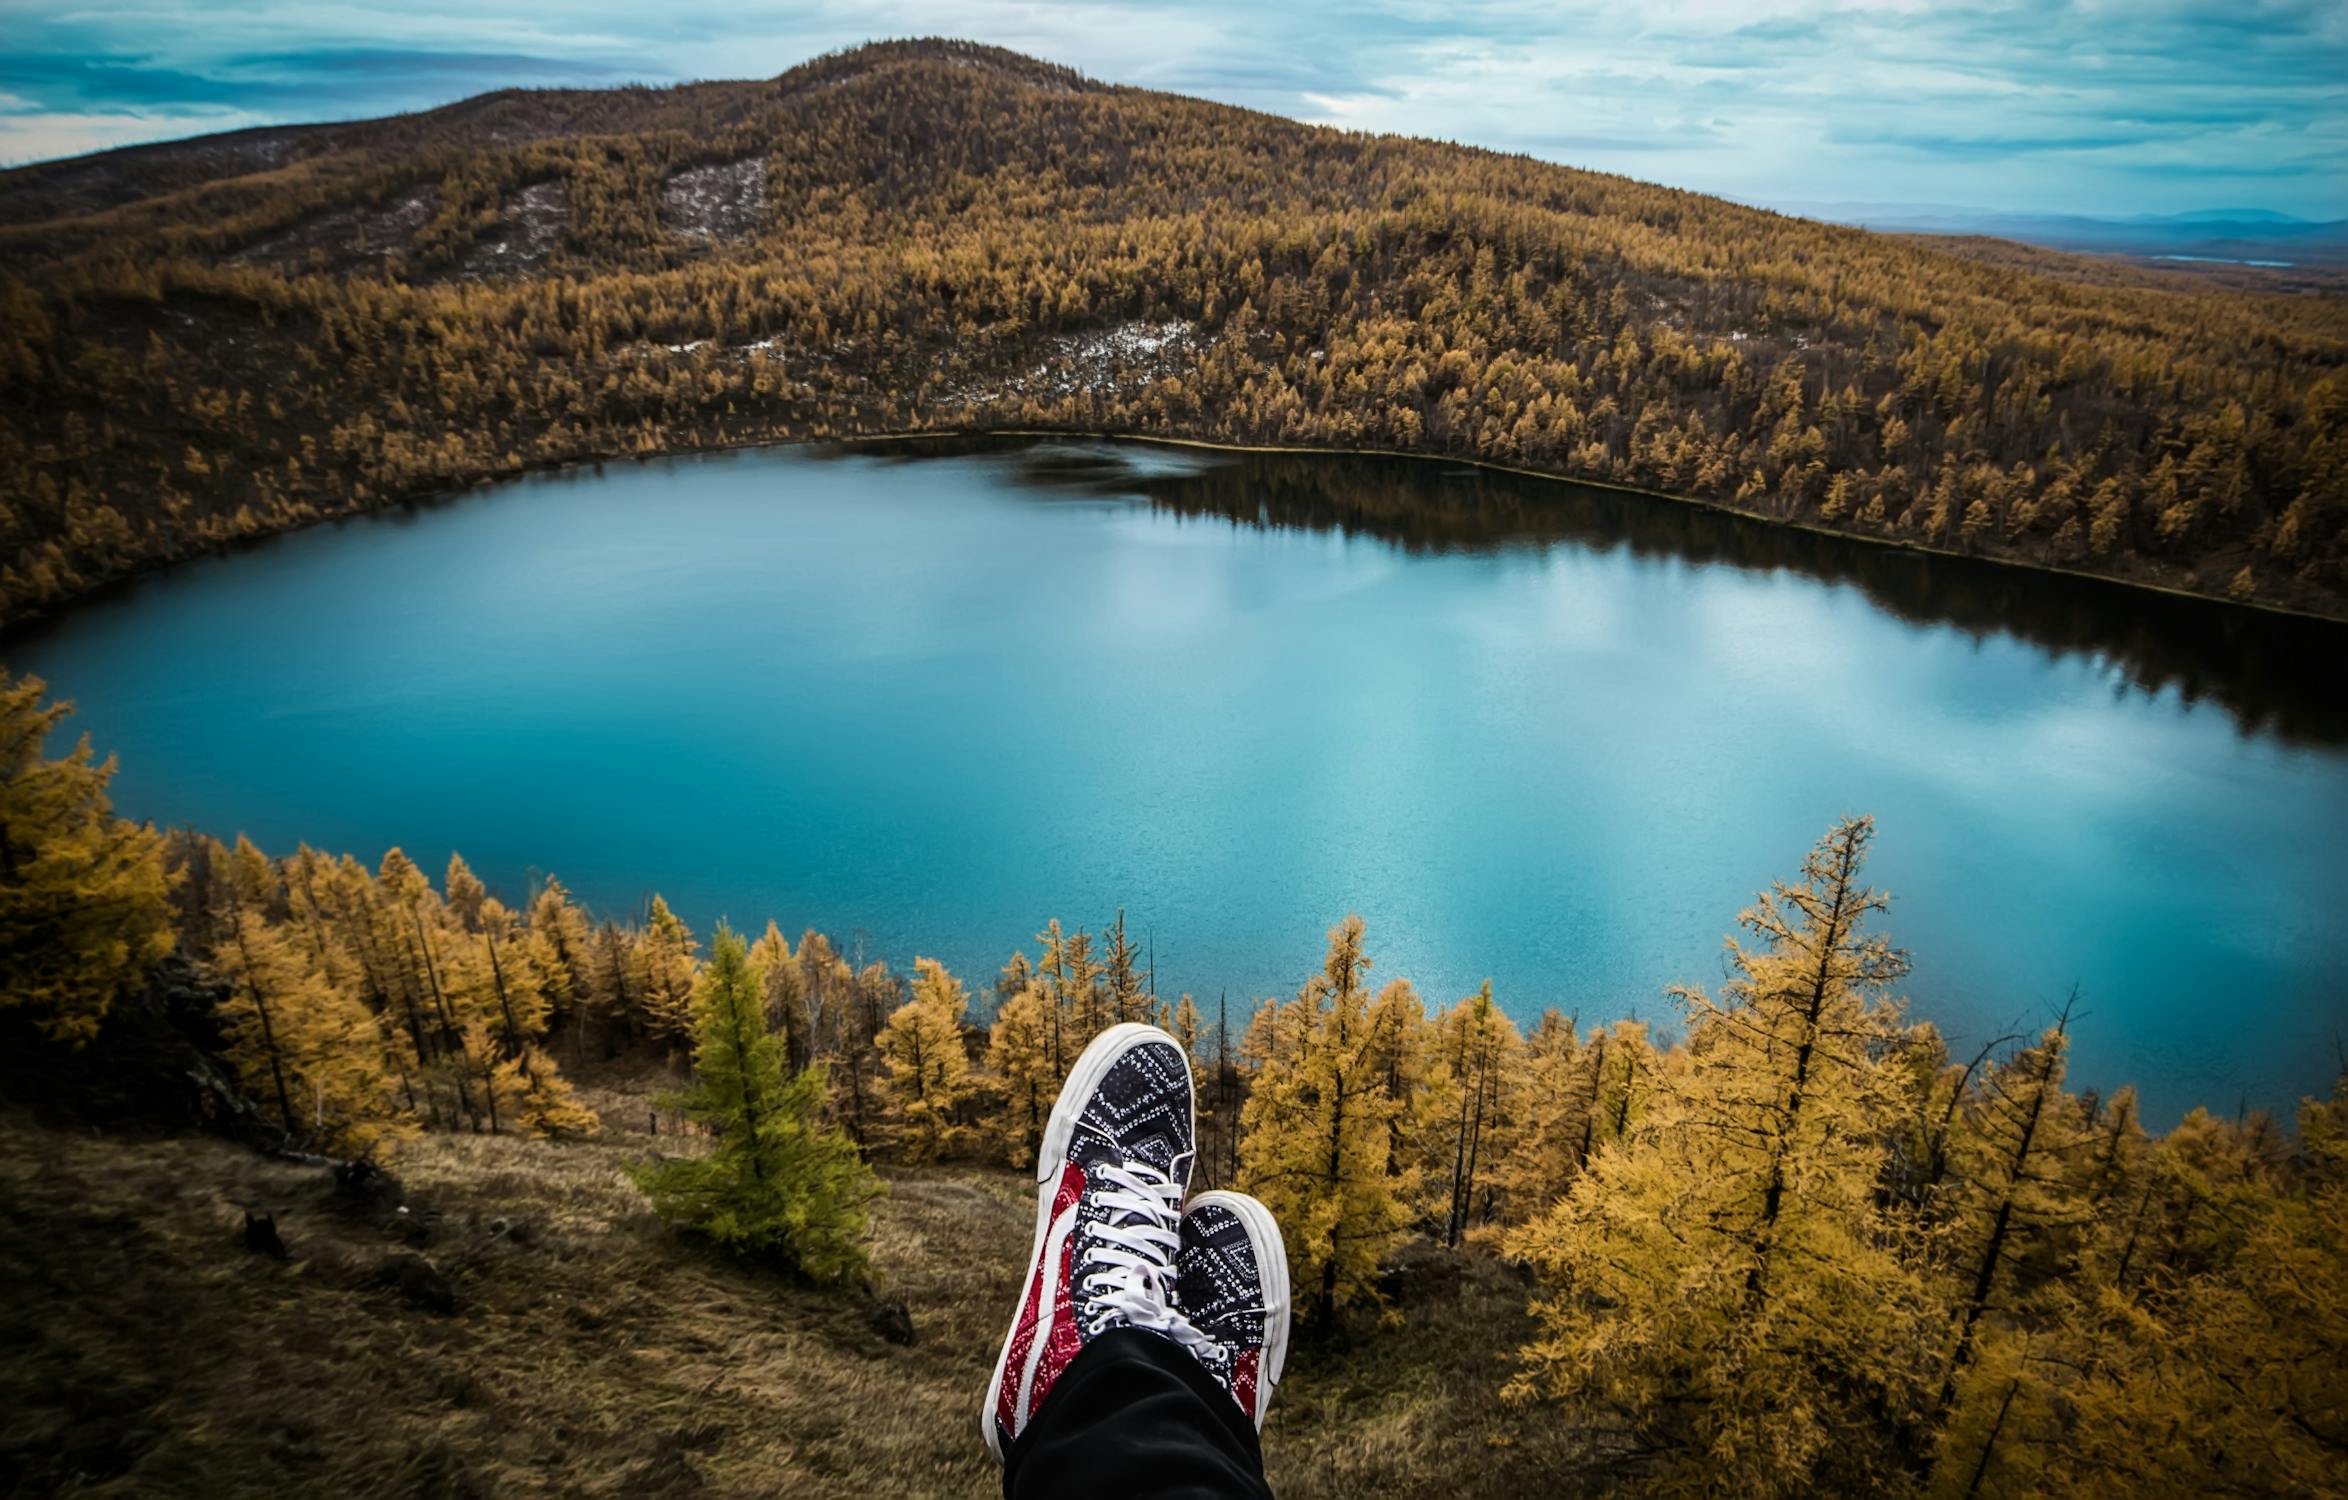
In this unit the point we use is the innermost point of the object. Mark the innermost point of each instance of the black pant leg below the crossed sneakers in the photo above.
(1138, 1419)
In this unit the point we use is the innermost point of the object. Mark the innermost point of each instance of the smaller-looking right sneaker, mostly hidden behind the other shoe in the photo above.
(1232, 1281)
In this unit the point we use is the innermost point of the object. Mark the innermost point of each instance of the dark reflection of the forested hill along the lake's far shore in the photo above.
(2272, 673)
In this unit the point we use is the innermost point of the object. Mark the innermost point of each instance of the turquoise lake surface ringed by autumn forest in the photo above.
(1553, 736)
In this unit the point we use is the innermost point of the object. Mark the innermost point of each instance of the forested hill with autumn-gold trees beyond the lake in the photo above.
(241, 335)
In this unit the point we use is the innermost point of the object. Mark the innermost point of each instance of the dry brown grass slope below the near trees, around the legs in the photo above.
(147, 1351)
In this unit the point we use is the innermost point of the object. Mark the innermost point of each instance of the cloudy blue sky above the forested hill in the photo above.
(2098, 107)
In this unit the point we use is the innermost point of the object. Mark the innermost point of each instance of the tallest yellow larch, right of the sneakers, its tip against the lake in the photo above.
(1720, 1283)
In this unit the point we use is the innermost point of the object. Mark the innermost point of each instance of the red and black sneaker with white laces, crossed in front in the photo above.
(1109, 1196)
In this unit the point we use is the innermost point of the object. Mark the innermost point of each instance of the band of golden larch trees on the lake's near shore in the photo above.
(1797, 1245)
